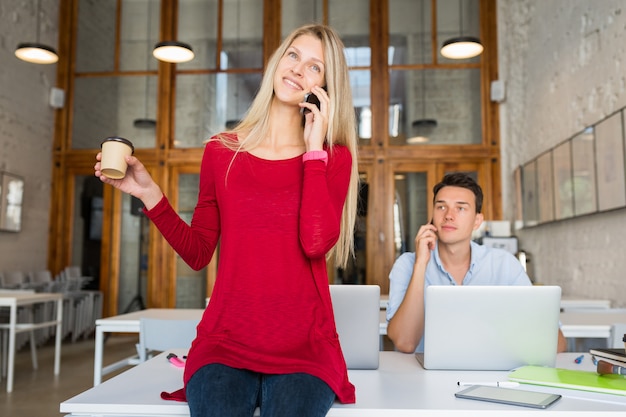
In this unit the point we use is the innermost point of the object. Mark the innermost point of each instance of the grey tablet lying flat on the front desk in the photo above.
(508, 396)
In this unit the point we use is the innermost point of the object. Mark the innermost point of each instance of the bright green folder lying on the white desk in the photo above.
(566, 378)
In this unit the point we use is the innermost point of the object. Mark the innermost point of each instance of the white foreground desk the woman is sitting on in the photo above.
(400, 387)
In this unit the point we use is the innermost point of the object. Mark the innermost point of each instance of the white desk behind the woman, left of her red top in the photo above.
(129, 323)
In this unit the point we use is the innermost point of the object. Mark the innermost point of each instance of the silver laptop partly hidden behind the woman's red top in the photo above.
(356, 309)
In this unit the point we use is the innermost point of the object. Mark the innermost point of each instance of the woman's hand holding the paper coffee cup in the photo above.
(137, 181)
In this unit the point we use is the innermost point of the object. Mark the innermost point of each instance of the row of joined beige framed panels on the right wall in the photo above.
(583, 175)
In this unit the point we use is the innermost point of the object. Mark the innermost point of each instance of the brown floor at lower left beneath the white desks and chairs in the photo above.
(38, 393)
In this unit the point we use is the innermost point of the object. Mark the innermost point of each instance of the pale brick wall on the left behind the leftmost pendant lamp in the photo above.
(26, 128)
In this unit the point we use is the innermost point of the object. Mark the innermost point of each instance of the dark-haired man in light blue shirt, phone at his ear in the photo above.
(446, 255)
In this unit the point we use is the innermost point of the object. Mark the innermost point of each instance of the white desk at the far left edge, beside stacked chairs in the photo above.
(13, 300)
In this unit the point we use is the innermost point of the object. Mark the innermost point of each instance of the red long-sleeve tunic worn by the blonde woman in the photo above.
(270, 310)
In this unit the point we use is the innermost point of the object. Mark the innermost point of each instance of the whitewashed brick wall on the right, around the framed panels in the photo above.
(564, 66)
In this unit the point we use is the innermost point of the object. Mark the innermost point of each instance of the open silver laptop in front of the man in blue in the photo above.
(490, 327)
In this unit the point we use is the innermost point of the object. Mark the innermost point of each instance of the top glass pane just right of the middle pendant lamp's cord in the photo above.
(197, 26)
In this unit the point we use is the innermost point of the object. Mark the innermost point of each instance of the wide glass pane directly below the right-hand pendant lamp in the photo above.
(422, 97)
